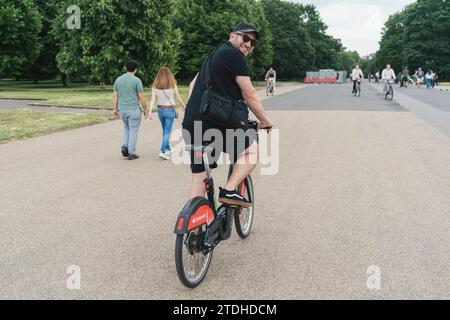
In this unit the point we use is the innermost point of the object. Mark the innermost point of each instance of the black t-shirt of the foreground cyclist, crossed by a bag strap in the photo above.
(226, 64)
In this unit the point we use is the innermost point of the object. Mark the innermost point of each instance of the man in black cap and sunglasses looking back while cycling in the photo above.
(229, 77)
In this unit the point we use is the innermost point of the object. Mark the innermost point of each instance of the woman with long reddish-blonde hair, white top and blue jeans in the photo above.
(164, 89)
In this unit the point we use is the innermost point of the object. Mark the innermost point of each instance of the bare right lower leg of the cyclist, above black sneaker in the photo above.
(243, 167)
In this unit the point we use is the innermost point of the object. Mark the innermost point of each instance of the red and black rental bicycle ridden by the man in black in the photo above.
(201, 225)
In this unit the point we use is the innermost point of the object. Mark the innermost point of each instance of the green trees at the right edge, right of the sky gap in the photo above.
(418, 36)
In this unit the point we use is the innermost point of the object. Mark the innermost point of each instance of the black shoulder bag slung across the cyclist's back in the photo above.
(222, 111)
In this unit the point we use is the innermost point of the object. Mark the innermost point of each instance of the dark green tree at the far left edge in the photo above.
(20, 24)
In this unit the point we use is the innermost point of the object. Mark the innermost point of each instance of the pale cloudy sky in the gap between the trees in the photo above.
(358, 23)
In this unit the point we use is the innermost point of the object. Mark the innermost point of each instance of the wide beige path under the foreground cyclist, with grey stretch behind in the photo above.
(355, 188)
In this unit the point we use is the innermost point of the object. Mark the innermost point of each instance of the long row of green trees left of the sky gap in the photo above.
(37, 42)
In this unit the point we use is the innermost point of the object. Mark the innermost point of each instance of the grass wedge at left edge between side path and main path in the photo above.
(19, 124)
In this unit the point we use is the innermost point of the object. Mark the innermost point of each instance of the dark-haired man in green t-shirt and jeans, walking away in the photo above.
(128, 92)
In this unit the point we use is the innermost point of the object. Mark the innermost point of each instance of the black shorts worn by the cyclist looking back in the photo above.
(234, 142)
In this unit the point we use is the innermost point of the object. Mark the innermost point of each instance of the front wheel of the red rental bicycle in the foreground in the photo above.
(243, 217)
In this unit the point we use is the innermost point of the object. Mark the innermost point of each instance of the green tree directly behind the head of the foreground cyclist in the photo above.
(207, 23)
